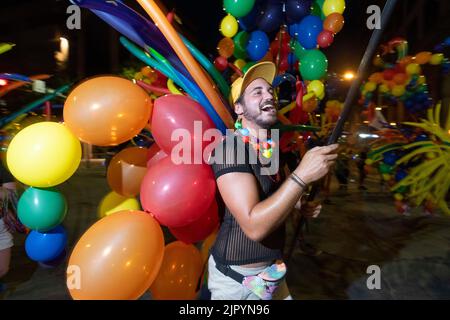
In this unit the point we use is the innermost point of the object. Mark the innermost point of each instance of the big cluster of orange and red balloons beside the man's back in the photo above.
(179, 196)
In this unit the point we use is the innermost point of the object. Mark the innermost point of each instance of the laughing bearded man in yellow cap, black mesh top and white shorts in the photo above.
(245, 261)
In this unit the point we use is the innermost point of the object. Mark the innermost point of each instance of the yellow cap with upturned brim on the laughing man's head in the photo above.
(266, 70)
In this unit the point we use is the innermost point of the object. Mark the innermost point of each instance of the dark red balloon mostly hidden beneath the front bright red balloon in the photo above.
(199, 229)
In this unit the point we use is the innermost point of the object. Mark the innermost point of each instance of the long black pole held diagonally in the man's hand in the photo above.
(348, 103)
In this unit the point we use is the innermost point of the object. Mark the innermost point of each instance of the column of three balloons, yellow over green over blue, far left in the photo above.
(34, 160)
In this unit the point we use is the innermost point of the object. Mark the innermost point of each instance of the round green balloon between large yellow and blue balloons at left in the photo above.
(41, 209)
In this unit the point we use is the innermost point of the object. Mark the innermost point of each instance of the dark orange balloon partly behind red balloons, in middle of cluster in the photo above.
(127, 170)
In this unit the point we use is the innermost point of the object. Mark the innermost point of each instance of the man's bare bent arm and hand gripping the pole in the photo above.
(259, 218)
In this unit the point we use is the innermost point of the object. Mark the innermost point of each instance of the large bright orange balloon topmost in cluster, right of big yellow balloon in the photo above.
(107, 110)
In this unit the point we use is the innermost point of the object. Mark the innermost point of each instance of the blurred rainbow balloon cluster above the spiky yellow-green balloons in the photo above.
(403, 81)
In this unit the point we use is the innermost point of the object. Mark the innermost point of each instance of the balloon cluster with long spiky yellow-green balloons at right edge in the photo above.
(414, 163)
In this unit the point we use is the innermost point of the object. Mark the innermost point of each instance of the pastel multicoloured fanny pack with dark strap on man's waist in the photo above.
(263, 284)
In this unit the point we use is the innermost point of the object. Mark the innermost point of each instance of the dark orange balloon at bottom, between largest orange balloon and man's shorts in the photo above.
(179, 274)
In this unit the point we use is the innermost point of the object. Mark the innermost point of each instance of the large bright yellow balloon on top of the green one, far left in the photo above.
(44, 154)
